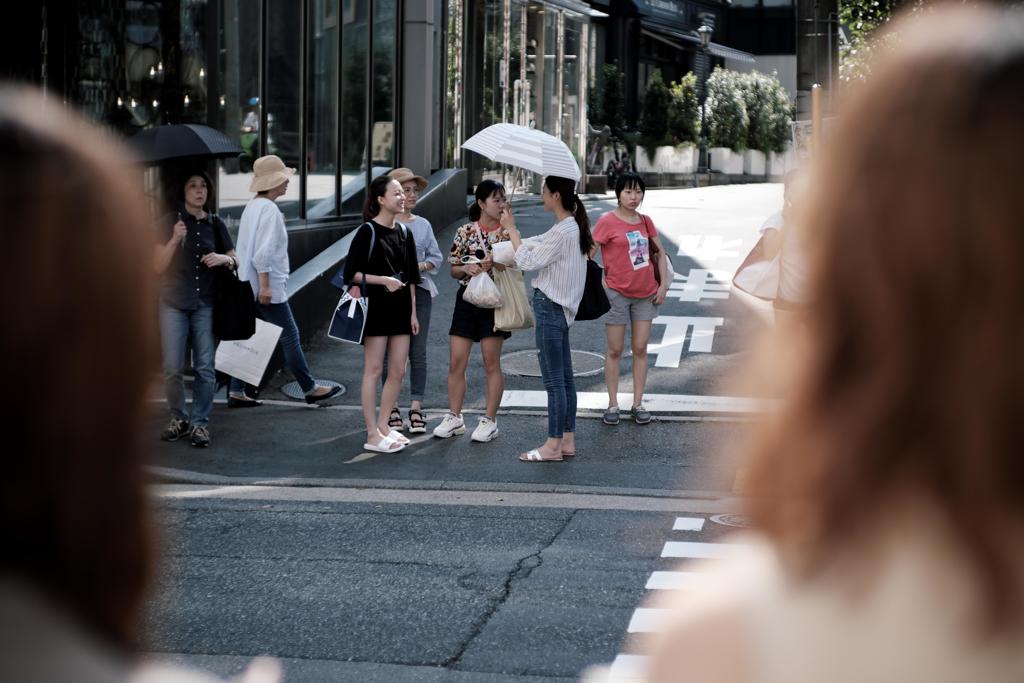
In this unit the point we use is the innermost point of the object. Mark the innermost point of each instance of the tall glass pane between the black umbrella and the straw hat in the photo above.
(239, 105)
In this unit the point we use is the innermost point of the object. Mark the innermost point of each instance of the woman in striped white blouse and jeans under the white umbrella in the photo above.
(560, 257)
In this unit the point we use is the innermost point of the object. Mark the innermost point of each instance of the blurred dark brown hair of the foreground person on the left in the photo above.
(76, 356)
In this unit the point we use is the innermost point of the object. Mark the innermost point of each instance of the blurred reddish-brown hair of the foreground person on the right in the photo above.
(911, 382)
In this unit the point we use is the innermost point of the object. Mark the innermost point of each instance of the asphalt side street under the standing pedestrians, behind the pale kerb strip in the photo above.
(693, 452)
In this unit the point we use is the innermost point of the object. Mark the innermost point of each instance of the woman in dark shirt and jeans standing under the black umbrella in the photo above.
(196, 242)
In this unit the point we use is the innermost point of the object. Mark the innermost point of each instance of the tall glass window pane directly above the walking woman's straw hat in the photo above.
(284, 91)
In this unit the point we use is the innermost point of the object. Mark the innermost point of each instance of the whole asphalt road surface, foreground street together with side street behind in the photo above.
(453, 562)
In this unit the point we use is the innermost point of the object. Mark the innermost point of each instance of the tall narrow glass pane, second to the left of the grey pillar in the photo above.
(354, 104)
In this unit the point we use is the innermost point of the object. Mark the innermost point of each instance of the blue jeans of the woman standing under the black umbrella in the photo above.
(178, 327)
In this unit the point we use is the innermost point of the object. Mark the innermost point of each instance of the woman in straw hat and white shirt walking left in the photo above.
(264, 262)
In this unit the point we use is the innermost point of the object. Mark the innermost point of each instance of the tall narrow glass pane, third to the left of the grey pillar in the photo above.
(322, 146)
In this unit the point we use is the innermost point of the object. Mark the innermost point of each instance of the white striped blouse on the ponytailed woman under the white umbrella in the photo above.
(563, 269)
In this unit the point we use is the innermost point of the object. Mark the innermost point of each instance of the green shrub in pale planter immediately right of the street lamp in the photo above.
(728, 122)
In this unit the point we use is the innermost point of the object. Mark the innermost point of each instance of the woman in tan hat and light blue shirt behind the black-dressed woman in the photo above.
(429, 259)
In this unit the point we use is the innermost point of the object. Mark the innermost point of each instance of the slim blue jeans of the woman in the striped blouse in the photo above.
(557, 365)
